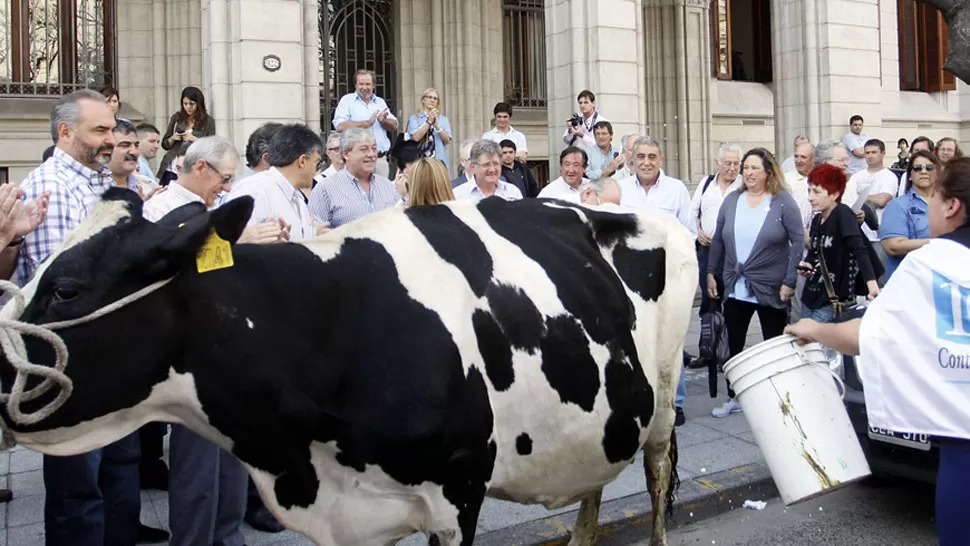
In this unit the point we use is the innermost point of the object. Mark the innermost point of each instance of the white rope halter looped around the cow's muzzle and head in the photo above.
(12, 332)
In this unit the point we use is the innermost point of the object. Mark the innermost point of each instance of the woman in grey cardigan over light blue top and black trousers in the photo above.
(756, 247)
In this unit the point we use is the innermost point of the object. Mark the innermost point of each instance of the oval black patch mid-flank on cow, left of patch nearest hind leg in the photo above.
(567, 363)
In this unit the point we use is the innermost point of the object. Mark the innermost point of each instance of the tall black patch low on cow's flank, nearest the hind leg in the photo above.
(630, 398)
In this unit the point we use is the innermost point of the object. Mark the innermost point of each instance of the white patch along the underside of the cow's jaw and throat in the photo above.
(174, 400)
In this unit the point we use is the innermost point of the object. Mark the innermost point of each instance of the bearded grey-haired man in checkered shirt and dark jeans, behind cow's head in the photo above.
(80, 510)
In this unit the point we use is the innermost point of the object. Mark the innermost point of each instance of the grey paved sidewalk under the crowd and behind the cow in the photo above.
(711, 452)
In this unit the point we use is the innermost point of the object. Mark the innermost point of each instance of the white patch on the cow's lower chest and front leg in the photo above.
(362, 508)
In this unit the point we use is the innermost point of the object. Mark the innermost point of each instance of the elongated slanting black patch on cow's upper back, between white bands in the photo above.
(455, 242)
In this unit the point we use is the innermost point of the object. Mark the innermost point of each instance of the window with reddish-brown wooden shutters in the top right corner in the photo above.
(922, 48)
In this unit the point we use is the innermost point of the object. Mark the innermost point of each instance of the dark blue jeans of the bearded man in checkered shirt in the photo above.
(93, 499)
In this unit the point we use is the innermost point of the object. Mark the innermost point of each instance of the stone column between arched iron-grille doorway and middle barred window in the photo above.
(456, 47)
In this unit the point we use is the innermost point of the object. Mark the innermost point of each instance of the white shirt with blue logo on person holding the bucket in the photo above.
(915, 345)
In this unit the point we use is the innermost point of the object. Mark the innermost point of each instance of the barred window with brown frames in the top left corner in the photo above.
(53, 47)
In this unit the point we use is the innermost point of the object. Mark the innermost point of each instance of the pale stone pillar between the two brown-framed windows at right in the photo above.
(826, 68)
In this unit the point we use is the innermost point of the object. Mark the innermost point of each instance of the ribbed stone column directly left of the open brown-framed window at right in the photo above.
(678, 84)
